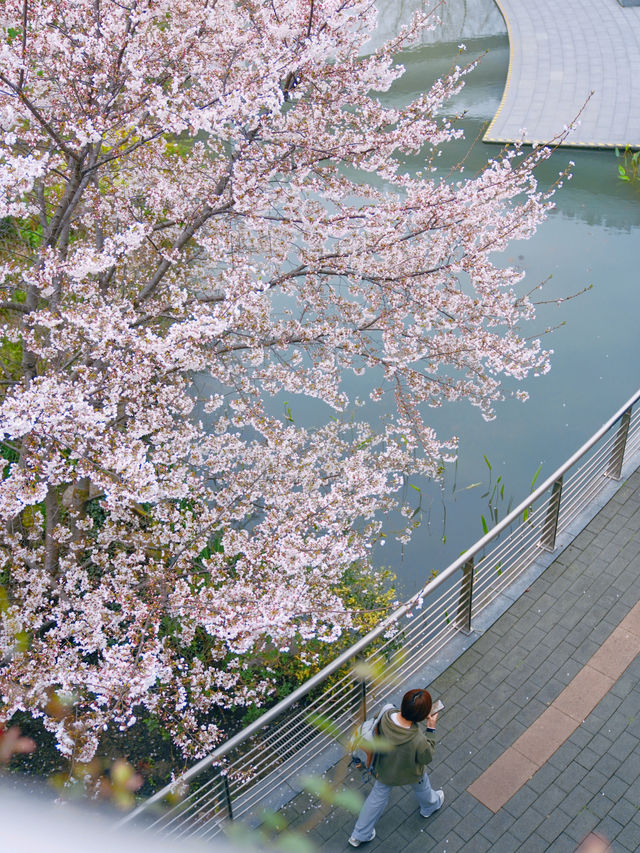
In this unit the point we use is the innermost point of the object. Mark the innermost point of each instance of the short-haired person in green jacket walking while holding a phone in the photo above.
(411, 748)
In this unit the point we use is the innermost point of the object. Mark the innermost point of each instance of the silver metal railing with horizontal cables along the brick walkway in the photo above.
(242, 773)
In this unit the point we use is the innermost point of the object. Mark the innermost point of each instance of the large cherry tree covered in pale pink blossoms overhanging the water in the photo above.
(215, 188)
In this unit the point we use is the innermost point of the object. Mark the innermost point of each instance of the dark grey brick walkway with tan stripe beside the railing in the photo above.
(566, 654)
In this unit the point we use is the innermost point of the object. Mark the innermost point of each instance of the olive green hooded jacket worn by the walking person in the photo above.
(411, 749)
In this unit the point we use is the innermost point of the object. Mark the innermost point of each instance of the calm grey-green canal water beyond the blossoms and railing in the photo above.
(591, 238)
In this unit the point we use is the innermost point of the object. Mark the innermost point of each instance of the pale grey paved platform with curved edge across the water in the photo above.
(560, 52)
